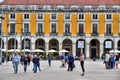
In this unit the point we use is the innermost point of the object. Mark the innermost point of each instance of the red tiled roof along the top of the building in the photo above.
(65, 2)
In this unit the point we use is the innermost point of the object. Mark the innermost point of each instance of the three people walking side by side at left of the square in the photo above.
(25, 61)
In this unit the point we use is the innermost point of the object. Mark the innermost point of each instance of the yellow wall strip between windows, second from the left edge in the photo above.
(19, 21)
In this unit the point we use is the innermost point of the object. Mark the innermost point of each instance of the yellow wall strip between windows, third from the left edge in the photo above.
(33, 23)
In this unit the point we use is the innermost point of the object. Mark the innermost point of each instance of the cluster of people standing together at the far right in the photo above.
(111, 60)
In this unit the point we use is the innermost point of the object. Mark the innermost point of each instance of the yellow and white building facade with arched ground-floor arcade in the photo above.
(92, 29)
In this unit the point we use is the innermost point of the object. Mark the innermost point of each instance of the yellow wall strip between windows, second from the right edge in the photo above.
(101, 24)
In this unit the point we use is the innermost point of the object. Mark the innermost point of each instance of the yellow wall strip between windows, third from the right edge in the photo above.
(88, 23)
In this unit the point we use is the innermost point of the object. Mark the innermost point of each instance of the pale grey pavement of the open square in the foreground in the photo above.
(94, 71)
